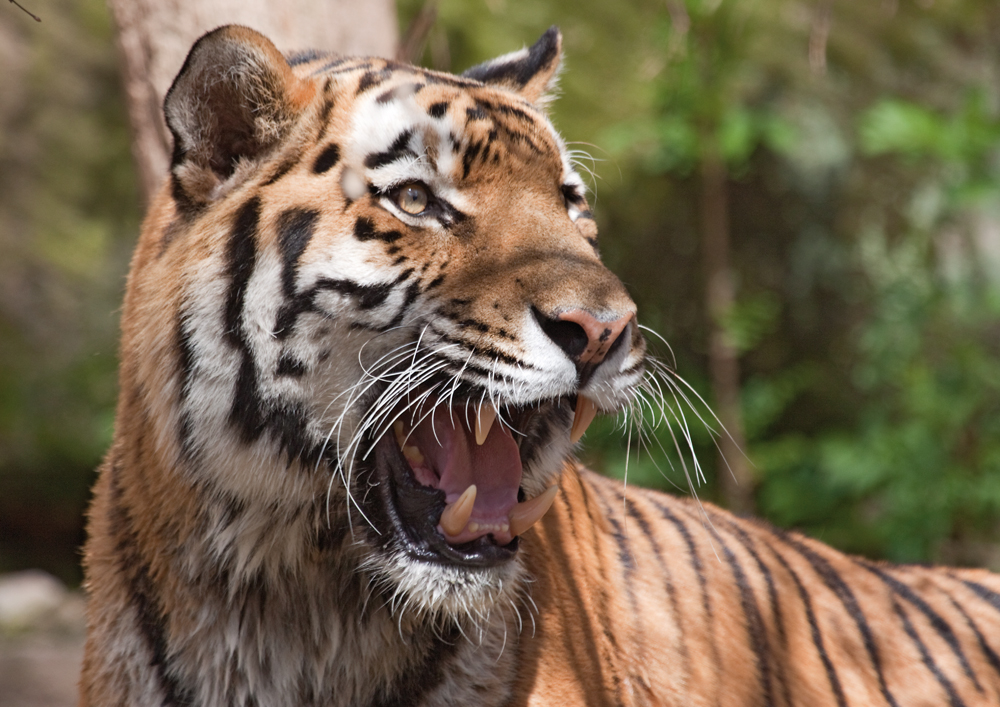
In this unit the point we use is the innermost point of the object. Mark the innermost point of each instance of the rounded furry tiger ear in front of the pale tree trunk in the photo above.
(234, 100)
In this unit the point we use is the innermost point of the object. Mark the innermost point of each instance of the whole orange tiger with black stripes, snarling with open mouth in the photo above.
(365, 327)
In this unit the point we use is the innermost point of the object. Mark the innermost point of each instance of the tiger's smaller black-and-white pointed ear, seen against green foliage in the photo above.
(533, 72)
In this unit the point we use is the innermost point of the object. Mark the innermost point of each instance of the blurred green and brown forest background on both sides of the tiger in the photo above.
(803, 196)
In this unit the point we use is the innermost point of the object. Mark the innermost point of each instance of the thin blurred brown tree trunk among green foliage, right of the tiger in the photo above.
(734, 471)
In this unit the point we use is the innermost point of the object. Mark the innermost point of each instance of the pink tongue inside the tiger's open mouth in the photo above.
(450, 450)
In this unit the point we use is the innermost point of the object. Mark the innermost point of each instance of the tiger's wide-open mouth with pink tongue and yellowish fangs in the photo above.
(450, 476)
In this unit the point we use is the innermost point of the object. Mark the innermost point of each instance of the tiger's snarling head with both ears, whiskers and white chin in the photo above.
(393, 323)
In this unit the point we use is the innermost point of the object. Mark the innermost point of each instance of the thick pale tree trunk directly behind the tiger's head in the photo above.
(154, 37)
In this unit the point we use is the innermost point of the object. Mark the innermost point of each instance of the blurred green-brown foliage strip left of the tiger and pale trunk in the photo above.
(68, 216)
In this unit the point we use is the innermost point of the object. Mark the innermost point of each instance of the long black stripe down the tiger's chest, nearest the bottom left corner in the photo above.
(143, 596)
